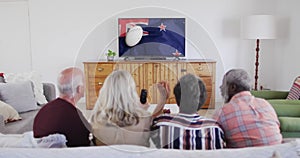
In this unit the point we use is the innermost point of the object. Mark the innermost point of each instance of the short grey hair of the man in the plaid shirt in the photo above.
(240, 78)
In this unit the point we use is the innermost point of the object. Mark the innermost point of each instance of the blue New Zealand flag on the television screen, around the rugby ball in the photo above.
(161, 37)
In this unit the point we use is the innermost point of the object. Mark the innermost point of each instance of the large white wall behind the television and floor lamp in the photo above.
(62, 33)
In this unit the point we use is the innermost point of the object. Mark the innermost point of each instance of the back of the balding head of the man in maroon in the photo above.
(68, 81)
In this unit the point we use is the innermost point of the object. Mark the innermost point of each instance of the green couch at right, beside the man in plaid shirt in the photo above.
(288, 111)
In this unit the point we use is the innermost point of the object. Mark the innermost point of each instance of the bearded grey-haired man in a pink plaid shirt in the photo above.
(247, 121)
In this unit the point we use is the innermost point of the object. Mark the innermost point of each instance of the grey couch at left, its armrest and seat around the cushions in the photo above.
(26, 124)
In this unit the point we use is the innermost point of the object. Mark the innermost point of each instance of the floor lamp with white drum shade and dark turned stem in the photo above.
(258, 27)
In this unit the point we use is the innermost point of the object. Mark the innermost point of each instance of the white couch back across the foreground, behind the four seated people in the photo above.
(286, 150)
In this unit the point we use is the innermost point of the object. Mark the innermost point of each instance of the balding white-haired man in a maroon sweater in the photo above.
(60, 115)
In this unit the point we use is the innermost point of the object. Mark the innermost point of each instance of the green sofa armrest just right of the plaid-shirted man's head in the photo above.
(269, 94)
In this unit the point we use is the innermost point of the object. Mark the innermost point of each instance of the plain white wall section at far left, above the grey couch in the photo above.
(14, 37)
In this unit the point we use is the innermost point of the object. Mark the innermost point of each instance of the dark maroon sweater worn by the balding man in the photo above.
(60, 116)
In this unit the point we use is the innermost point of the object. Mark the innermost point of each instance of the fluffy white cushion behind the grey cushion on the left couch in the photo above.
(35, 78)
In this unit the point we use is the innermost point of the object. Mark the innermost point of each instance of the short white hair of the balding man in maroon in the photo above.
(69, 88)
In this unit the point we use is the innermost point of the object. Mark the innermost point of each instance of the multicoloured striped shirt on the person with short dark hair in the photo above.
(188, 132)
